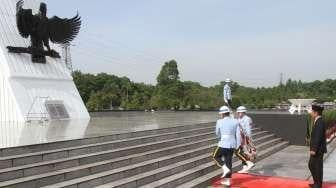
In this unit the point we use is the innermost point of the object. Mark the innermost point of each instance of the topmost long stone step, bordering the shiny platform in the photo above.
(21, 150)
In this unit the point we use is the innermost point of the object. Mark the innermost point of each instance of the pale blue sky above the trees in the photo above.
(250, 41)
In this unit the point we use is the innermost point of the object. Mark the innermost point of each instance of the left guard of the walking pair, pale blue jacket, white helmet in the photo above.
(227, 130)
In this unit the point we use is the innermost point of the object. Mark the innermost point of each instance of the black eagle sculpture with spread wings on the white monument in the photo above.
(41, 29)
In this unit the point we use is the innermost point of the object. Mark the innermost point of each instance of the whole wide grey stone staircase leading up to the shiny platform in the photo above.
(170, 157)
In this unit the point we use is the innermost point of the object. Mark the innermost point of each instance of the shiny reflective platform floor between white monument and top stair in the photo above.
(17, 134)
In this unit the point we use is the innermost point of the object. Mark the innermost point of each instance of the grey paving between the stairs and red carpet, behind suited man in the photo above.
(292, 162)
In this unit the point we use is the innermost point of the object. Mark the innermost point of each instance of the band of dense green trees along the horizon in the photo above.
(102, 91)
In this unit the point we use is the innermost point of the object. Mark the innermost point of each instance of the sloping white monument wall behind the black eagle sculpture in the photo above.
(32, 91)
